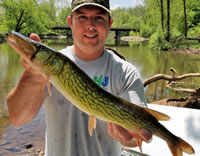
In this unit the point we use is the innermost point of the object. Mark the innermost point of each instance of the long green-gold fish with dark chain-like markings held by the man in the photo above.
(85, 94)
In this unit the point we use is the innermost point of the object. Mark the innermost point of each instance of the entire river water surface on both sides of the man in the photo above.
(16, 140)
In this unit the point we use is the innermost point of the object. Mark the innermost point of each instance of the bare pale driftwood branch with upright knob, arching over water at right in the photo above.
(168, 77)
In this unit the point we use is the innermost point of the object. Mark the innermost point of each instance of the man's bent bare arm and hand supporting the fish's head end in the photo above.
(25, 100)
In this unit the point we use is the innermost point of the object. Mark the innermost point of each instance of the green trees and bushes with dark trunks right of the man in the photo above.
(167, 23)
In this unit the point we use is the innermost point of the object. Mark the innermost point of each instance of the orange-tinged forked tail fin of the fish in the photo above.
(180, 147)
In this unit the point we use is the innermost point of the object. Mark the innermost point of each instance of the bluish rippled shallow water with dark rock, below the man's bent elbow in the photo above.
(24, 140)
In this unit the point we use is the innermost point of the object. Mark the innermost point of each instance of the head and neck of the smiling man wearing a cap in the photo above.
(90, 26)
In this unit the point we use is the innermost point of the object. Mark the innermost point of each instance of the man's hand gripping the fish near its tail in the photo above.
(125, 137)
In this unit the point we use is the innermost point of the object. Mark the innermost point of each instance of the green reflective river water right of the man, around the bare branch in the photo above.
(151, 62)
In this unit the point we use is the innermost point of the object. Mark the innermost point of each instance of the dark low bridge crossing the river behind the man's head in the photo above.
(116, 30)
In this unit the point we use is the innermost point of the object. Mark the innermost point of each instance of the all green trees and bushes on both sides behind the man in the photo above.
(167, 23)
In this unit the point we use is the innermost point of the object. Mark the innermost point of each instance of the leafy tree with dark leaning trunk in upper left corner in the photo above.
(24, 16)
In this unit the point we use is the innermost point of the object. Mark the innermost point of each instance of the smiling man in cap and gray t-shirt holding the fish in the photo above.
(67, 127)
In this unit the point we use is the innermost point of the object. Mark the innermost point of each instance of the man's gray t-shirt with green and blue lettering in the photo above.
(67, 127)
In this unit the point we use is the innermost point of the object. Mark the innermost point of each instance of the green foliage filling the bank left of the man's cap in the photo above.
(27, 16)
